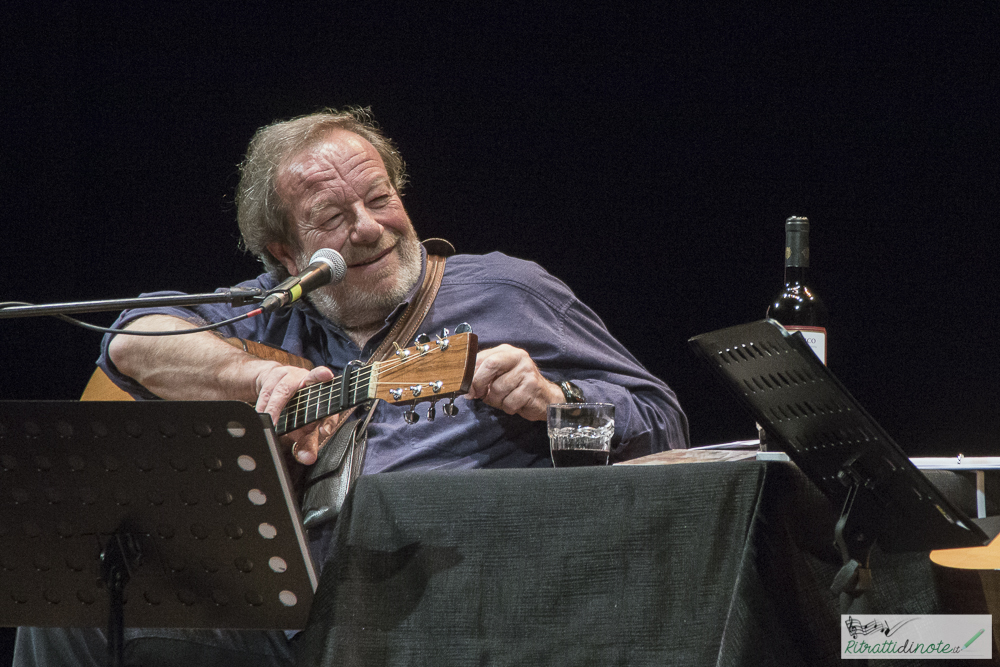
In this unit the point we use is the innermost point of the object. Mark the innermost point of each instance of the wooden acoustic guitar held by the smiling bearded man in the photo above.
(427, 372)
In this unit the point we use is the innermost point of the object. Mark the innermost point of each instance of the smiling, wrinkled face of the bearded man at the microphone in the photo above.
(339, 196)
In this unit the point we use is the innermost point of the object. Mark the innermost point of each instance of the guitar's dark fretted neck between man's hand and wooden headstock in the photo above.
(323, 399)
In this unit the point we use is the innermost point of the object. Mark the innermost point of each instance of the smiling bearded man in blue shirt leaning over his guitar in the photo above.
(332, 180)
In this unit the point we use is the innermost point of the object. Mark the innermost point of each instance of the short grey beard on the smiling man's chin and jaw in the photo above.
(361, 309)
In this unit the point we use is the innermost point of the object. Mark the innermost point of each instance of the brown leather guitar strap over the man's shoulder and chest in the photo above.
(403, 332)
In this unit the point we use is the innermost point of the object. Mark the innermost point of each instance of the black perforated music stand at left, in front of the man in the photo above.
(147, 514)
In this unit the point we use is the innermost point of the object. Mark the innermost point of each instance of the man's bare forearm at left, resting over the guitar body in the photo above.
(199, 366)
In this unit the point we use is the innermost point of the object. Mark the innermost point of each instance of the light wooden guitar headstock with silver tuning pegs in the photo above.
(430, 370)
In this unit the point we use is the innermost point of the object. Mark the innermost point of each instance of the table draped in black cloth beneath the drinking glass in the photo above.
(702, 564)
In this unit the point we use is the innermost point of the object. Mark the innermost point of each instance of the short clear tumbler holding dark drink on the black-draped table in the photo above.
(580, 433)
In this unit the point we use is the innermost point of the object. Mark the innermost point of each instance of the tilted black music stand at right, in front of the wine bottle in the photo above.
(839, 446)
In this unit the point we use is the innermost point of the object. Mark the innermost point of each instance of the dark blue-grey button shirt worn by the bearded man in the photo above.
(506, 300)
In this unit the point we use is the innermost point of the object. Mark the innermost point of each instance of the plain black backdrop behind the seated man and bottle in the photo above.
(646, 156)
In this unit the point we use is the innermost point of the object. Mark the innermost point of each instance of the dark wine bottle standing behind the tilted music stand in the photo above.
(798, 307)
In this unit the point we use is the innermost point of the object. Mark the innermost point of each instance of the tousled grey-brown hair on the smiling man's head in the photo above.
(260, 211)
